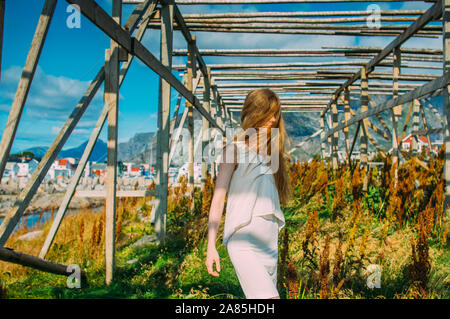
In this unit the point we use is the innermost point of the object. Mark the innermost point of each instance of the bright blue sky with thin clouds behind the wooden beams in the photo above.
(72, 57)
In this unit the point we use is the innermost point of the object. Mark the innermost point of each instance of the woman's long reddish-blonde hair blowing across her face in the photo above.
(259, 106)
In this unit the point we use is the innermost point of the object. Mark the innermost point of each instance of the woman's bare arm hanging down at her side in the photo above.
(226, 169)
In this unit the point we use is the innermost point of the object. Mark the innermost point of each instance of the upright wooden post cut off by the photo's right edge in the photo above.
(446, 68)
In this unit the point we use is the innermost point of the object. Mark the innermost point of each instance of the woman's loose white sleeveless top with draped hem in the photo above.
(252, 191)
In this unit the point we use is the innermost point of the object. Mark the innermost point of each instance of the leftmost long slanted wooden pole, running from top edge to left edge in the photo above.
(24, 84)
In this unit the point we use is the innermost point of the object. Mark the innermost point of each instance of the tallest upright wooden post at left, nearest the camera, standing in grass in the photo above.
(112, 66)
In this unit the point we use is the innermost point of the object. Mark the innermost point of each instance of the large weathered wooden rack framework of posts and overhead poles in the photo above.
(323, 88)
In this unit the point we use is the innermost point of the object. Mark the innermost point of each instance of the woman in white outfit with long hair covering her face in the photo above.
(255, 174)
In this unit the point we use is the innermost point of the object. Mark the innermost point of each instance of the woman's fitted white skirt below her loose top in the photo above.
(253, 250)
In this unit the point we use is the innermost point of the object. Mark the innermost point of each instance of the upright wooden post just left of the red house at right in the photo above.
(396, 112)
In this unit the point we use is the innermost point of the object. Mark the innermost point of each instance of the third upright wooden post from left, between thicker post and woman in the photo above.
(192, 72)
